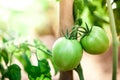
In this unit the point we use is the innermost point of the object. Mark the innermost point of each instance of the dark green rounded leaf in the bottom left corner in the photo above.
(13, 72)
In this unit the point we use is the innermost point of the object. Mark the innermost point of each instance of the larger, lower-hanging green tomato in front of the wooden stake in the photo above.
(66, 53)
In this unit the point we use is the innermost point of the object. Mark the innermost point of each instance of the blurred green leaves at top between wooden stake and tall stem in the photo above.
(92, 12)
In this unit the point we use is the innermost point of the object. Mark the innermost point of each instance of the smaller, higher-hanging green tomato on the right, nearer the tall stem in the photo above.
(95, 42)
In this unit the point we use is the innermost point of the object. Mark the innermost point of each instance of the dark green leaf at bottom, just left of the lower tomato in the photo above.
(40, 72)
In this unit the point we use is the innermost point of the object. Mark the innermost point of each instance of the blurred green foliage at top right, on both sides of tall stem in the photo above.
(94, 12)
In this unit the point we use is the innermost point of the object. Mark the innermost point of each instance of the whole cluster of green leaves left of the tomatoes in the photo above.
(23, 52)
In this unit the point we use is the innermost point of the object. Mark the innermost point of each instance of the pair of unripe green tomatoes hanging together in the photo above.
(67, 53)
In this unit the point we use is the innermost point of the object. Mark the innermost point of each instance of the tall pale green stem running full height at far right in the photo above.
(114, 39)
